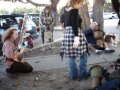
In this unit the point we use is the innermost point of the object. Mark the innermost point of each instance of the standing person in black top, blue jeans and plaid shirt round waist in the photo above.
(74, 43)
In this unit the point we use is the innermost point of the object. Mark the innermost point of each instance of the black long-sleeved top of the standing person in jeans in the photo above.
(72, 18)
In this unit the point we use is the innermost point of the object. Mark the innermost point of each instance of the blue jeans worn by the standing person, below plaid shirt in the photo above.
(82, 72)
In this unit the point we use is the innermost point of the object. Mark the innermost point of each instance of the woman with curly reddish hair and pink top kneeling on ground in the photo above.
(14, 59)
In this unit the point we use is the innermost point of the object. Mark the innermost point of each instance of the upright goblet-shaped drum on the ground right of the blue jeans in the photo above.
(96, 73)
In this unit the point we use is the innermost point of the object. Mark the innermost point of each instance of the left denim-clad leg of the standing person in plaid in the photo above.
(73, 68)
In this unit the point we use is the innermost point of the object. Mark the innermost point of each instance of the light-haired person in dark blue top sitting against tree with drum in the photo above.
(97, 45)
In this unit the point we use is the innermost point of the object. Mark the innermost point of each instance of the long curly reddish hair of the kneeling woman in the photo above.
(8, 34)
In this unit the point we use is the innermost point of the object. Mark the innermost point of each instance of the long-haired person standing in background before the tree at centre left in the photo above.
(47, 19)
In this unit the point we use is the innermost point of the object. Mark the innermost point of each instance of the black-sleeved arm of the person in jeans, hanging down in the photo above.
(74, 17)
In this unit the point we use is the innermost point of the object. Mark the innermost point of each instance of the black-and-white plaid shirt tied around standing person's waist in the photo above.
(67, 45)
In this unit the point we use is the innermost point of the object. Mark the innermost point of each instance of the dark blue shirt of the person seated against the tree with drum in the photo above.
(89, 36)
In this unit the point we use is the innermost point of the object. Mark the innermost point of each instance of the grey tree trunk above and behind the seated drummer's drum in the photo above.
(98, 13)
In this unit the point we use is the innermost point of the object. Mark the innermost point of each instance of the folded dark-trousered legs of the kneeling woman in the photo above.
(20, 67)
